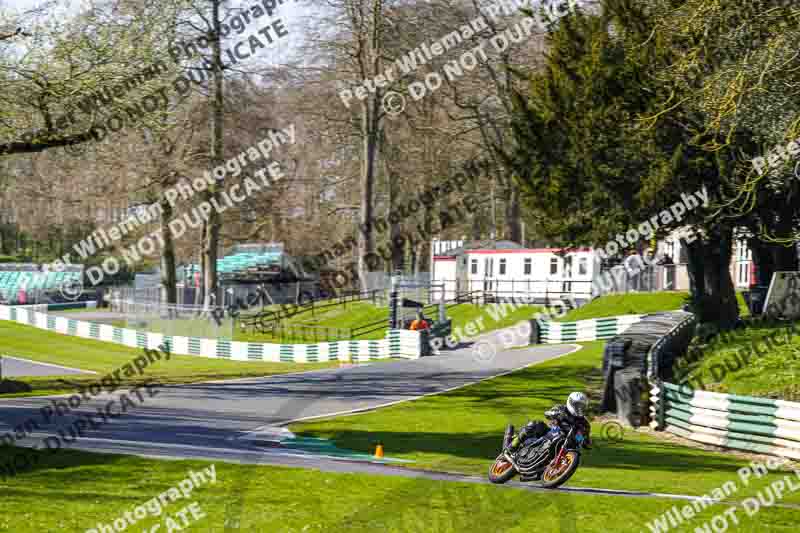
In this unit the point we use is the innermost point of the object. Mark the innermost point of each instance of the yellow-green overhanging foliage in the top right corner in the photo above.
(736, 64)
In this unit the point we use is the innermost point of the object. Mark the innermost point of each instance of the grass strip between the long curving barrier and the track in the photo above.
(103, 357)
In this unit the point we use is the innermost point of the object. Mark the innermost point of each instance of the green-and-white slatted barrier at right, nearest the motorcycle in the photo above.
(757, 425)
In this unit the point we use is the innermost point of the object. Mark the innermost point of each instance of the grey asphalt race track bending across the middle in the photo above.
(221, 420)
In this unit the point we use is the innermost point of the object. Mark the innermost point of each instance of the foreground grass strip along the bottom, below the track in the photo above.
(73, 491)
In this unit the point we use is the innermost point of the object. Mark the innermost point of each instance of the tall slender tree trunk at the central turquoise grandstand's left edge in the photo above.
(216, 118)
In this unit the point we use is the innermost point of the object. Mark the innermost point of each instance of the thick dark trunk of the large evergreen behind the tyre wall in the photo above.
(712, 291)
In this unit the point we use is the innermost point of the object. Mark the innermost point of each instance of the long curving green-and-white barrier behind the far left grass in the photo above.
(397, 343)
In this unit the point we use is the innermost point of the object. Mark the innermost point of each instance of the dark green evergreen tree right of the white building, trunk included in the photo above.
(606, 145)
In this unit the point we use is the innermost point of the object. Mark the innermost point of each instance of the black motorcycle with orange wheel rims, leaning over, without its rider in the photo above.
(552, 459)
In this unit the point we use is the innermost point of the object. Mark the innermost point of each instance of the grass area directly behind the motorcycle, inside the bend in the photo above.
(461, 431)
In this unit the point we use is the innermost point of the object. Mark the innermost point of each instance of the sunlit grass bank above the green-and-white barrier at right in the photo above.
(731, 364)
